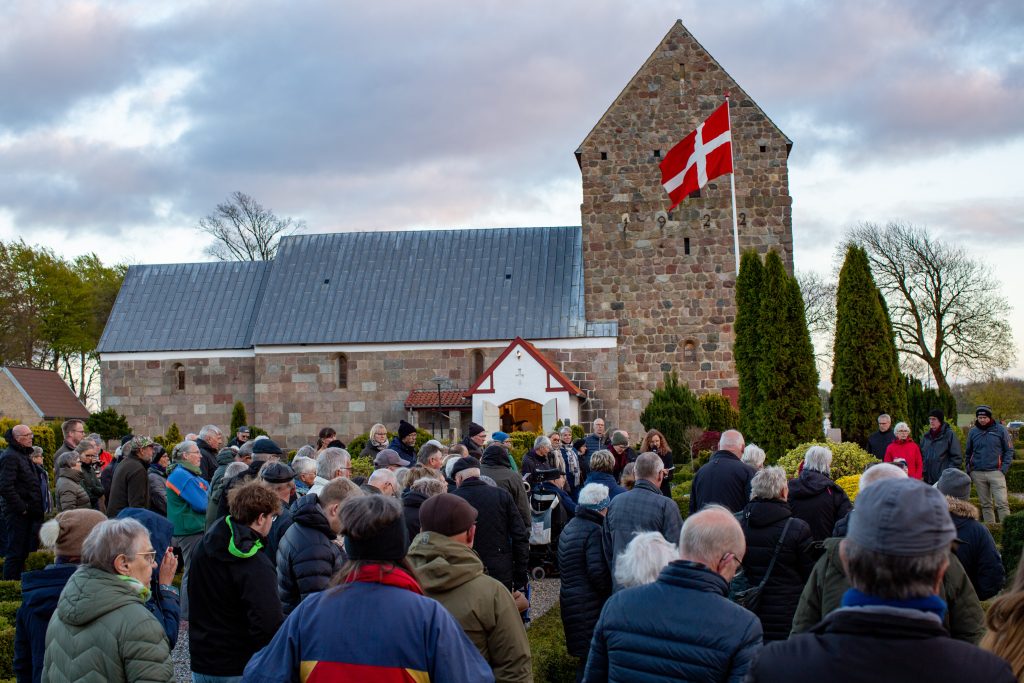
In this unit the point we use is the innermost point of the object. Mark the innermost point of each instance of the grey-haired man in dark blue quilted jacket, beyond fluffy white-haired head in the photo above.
(643, 509)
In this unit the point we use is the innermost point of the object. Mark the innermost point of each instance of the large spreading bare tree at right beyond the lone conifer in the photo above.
(946, 308)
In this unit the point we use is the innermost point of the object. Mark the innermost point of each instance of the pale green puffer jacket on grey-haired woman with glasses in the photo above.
(103, 633)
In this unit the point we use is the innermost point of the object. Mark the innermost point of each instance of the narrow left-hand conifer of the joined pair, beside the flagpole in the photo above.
(745, 351)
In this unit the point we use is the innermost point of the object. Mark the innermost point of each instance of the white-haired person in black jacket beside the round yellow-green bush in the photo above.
(816, 498)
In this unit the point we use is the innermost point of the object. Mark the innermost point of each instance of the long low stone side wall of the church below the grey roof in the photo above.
(293, 396)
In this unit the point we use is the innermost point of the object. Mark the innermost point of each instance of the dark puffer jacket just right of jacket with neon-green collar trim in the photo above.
(308, 557)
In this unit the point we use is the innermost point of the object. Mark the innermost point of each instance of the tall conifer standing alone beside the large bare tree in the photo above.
(866, 371)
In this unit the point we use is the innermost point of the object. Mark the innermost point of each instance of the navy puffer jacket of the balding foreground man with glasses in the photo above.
(680, 628)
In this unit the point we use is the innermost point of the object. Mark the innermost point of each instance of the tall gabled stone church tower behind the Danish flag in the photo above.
(671, 283)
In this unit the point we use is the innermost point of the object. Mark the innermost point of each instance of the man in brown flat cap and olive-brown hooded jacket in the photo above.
(452, 574)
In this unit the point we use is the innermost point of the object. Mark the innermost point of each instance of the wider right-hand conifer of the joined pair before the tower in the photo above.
(789, 410)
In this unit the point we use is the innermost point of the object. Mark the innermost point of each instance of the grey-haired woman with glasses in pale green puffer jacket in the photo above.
(102, 629)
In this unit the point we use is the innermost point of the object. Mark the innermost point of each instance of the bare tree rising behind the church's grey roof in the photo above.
(244, 231)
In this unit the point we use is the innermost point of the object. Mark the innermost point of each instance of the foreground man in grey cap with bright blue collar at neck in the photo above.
(890, 625)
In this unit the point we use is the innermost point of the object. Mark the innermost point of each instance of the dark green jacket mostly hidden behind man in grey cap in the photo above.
(824, 593)
